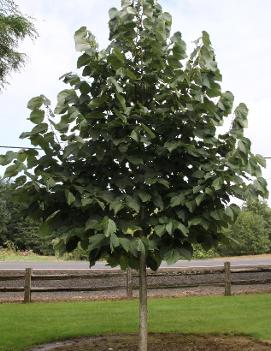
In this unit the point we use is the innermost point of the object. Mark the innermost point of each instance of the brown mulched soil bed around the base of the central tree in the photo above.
(160, 342)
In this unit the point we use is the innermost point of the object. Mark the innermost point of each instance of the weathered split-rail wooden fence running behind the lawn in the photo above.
(227, 273)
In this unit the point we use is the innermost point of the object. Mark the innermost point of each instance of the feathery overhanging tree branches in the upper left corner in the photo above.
(14, 27)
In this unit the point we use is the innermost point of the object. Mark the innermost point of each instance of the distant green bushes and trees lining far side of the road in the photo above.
(249, 234)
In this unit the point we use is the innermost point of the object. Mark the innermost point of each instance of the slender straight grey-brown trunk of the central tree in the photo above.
(143, 311)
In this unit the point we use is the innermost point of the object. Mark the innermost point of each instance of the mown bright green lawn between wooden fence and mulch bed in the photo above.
(24, 325)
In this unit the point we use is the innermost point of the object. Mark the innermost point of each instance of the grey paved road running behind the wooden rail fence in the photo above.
(84, 265)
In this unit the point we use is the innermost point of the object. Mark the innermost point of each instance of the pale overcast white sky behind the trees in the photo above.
(240, 31)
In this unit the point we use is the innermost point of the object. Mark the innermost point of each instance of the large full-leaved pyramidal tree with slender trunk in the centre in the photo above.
(136, 170)
